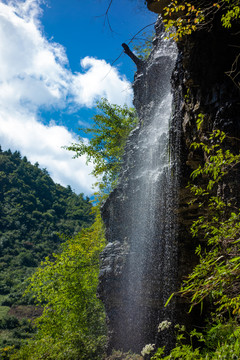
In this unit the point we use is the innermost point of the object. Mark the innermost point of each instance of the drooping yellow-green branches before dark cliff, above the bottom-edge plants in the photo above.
(218, 272)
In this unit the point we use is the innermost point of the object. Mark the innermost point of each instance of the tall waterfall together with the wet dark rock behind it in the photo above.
(139, 264)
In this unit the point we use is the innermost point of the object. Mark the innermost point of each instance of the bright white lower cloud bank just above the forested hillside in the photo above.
(43, 144)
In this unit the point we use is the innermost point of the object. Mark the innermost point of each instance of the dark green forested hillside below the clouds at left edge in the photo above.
(36, 215)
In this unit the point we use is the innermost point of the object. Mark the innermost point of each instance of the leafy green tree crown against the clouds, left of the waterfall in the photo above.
(105, 149)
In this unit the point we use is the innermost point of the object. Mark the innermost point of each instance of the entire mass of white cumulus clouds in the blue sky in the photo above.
(34, 75)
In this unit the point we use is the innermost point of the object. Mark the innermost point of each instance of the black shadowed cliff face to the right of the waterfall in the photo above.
(200, 80)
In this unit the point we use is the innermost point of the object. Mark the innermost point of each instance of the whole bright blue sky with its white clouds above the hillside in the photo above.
(56, 60)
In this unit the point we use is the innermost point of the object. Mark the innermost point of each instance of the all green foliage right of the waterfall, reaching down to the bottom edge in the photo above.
(216, 279)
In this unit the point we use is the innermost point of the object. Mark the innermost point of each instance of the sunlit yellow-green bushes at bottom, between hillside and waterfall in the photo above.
(72, 324)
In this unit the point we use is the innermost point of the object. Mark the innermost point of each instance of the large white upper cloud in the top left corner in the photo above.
(32, 69)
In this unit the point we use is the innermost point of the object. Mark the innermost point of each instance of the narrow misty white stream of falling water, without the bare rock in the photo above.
(152, 222)
